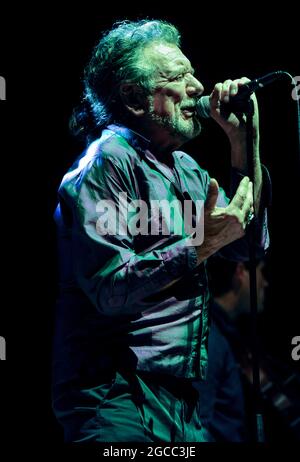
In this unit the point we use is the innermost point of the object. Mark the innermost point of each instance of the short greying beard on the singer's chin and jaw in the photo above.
(183, 129)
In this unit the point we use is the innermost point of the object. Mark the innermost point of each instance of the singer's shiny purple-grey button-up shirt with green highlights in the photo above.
(112, 306)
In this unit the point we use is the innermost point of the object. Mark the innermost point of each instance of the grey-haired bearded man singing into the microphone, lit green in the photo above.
(132, 312)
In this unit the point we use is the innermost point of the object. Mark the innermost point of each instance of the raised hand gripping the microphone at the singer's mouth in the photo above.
(233, 126)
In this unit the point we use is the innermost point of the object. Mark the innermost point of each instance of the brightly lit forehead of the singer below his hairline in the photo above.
(166, 57)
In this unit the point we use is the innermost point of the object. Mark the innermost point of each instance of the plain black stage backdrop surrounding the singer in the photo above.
(46, 48)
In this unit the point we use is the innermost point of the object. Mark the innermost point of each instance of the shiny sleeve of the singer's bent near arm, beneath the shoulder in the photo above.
(113, 275)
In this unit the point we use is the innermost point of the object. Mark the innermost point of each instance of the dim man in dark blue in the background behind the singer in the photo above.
(222, 400)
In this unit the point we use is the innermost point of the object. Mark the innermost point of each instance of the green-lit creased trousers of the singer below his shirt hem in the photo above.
(132, 407)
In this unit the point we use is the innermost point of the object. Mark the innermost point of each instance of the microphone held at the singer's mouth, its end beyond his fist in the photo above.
(203, 104)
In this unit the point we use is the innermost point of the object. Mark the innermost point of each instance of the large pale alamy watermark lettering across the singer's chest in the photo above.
(154, 218)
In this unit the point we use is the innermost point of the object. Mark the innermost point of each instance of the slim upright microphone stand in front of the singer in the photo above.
(245, 105)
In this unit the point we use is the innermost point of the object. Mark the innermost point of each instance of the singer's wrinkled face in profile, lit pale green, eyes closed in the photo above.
(172, 103)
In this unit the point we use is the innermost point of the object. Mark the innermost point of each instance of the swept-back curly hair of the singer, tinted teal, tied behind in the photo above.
(118, 57)
